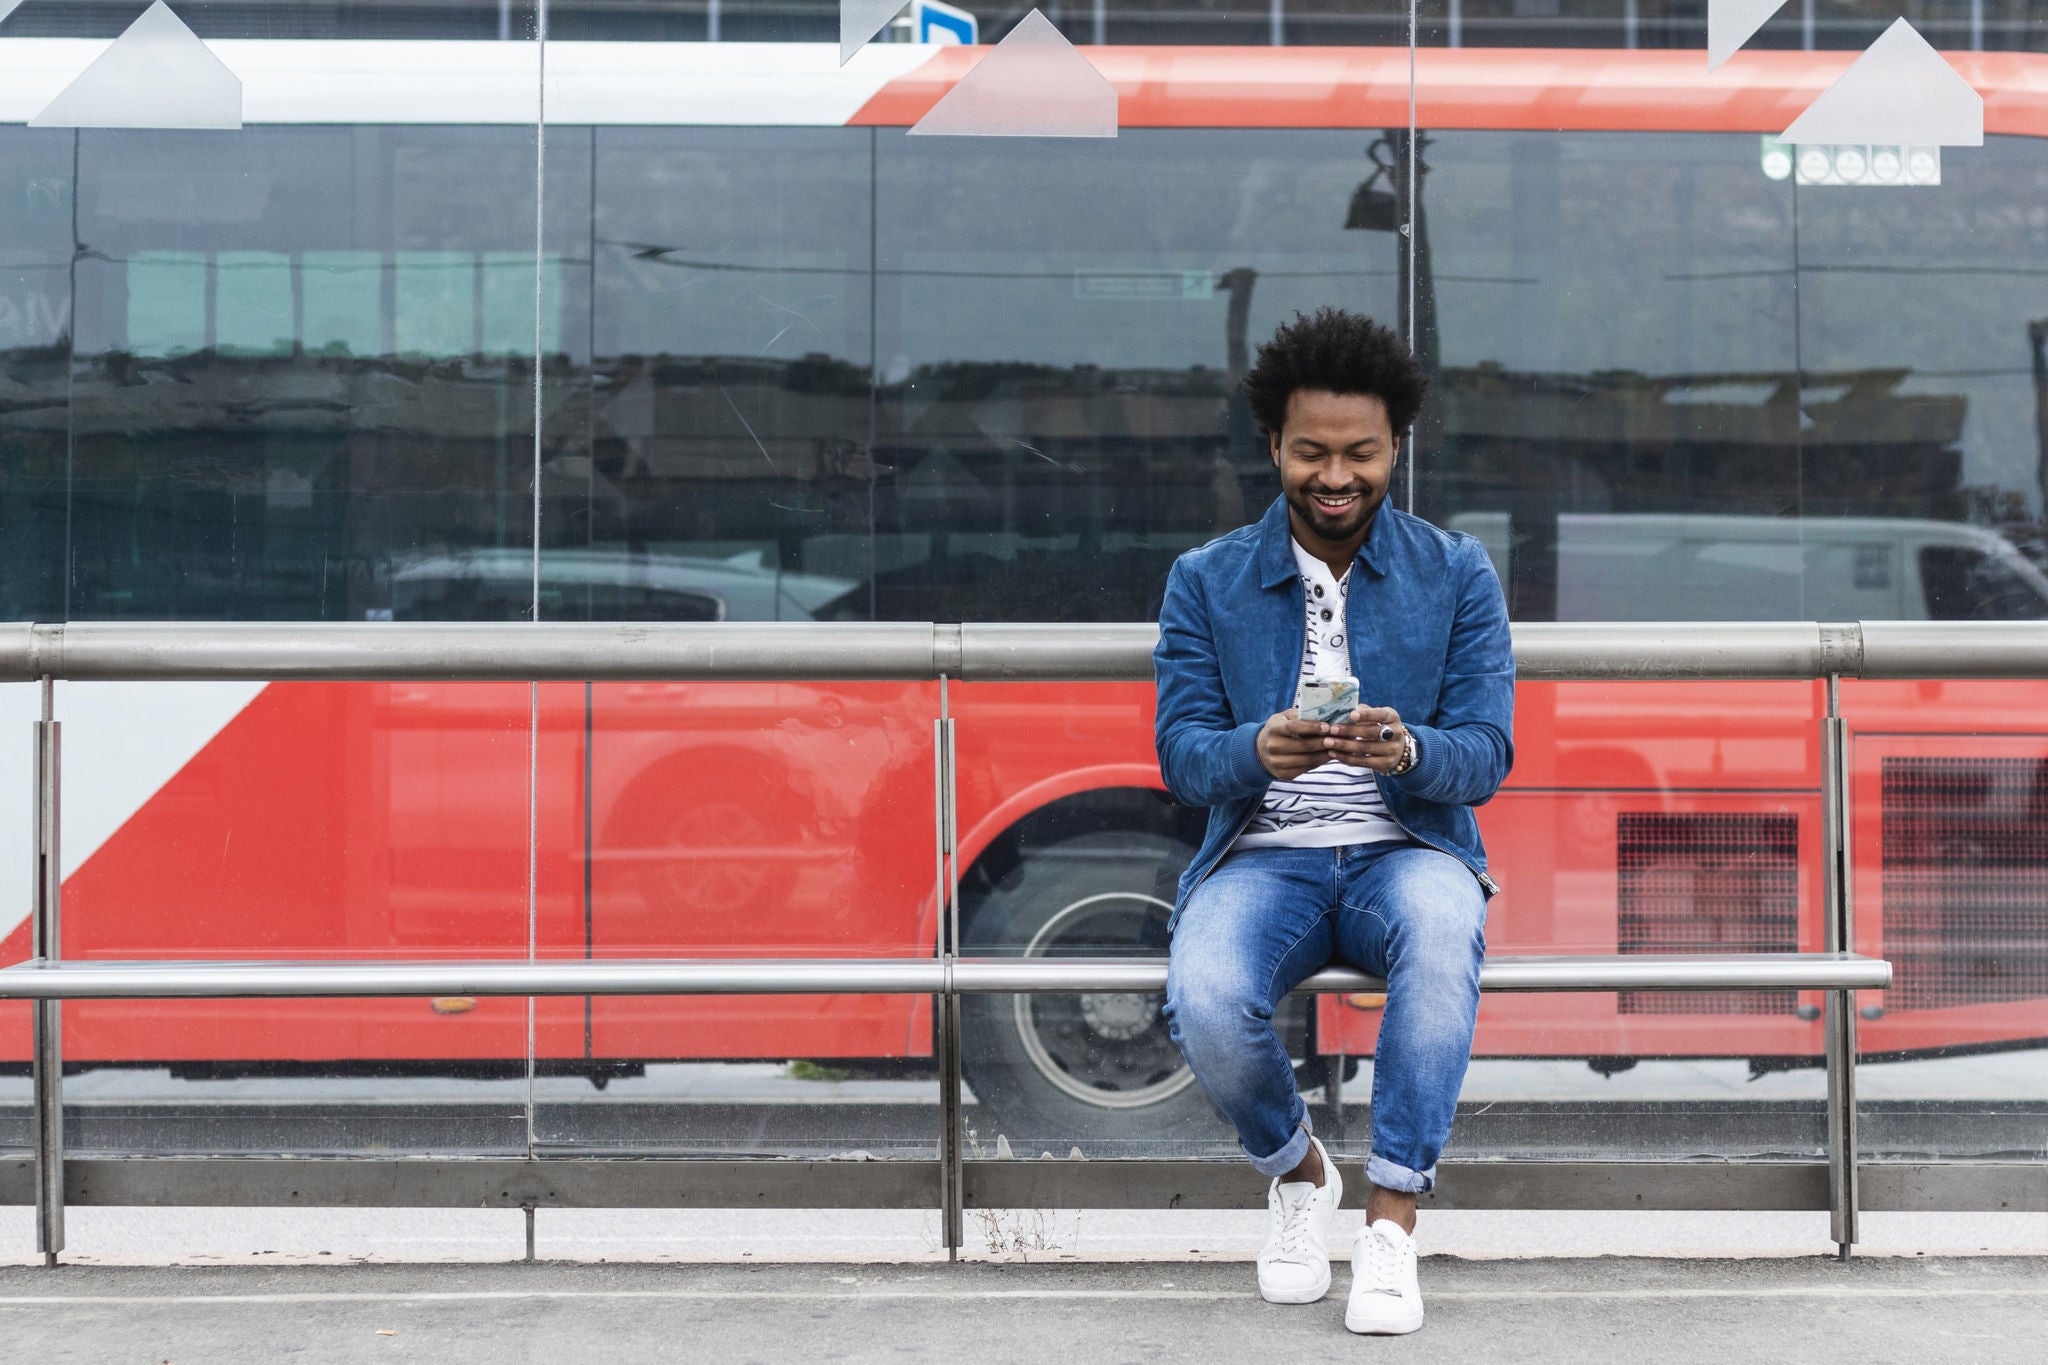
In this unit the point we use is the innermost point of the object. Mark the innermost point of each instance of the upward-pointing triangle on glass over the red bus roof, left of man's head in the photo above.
(1031, 85)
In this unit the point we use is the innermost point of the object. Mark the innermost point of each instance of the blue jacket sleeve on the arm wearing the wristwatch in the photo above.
(1467, 750)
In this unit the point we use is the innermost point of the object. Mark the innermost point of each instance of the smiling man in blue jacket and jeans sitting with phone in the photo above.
(1347, 842)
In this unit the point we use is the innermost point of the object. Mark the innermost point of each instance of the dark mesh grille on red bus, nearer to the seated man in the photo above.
(1707, 883)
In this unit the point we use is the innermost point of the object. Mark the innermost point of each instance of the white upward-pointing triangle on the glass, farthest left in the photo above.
(155, 77)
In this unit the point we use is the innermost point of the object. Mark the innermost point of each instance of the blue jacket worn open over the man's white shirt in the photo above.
(1428, 635)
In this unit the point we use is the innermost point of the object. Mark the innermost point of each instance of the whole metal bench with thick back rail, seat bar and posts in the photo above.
(910, 652)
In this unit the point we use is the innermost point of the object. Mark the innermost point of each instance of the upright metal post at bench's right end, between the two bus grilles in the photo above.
(1840, 930)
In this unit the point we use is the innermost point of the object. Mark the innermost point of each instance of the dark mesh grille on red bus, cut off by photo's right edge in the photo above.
(1965, 881)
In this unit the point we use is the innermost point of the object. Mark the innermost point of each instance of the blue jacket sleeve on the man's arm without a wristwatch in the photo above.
(1205, 756)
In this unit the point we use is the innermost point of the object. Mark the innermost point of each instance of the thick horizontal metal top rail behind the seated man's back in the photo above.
(919, 652)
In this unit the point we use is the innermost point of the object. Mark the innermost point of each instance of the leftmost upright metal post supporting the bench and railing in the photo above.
(46, 944)
